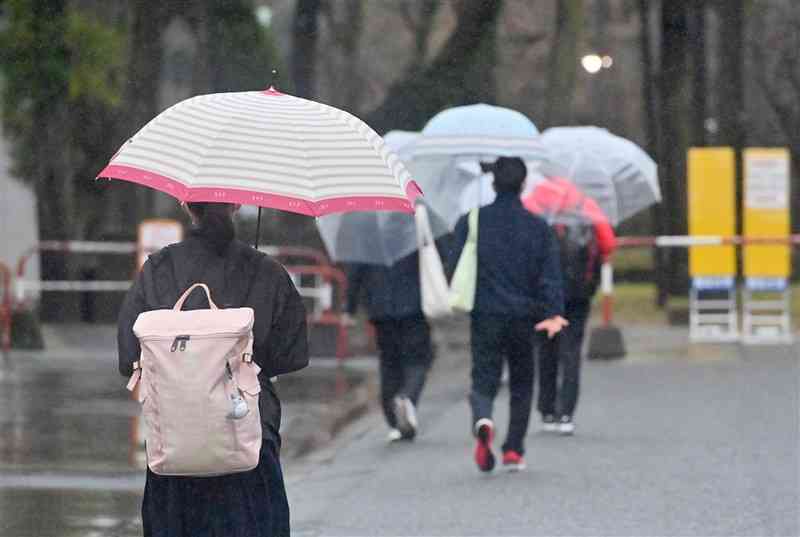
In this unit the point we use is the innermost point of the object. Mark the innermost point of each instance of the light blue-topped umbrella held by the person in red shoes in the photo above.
(444, 158)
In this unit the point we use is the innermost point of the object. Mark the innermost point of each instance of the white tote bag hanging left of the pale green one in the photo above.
(433, 283)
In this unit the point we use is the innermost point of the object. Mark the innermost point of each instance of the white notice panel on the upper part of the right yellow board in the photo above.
(766, 180)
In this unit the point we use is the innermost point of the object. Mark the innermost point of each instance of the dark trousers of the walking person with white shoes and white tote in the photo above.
(406, 355)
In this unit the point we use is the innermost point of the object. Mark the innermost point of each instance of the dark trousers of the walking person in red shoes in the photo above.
(496, 339)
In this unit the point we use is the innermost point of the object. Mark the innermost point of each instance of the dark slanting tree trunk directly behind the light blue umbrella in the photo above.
(462, 73)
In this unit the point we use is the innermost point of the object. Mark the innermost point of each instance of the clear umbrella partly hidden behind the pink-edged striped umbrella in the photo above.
(378, 238)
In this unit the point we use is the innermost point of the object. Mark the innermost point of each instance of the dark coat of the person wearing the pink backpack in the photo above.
(241, 277)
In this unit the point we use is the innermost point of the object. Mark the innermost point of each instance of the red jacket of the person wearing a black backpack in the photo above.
(556, 196)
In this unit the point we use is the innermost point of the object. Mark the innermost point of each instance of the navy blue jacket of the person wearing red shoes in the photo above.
(519, 270)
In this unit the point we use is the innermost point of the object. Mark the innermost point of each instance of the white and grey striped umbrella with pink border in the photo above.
(267, 149)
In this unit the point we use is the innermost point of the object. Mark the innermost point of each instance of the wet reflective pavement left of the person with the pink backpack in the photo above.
(64, 455)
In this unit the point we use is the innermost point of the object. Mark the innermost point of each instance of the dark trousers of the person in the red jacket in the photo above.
(561, 357)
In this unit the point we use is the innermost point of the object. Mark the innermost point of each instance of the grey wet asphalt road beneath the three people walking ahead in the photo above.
(671, 441)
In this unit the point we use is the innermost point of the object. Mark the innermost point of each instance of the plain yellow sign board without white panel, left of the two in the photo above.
(712, 209)
